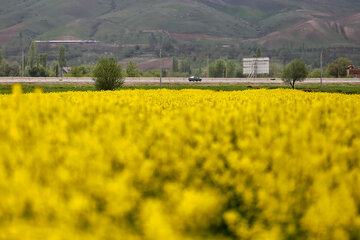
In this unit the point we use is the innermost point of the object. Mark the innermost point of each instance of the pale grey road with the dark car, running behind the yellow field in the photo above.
(153, 81)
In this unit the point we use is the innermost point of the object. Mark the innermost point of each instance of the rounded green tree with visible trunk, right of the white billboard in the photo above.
(296, 71)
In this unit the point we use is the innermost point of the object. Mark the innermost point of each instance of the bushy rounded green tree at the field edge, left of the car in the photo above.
(108, 74)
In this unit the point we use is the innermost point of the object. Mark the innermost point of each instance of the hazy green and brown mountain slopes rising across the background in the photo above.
(270, 23)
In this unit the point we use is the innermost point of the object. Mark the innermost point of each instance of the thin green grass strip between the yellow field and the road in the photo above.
(333, 88)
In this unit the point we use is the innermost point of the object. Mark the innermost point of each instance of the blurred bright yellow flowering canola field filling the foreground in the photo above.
(173, 165)
